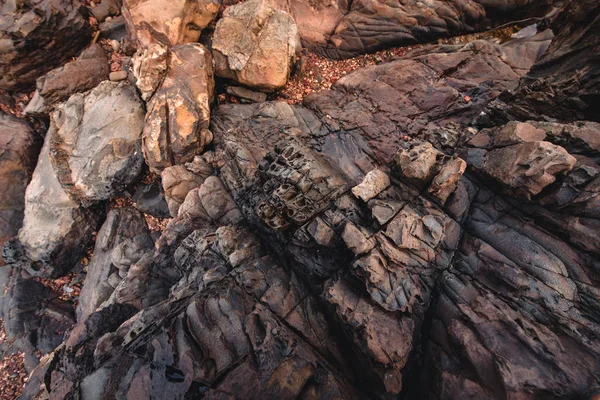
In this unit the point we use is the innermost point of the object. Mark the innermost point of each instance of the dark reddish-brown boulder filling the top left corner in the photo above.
(37, 36)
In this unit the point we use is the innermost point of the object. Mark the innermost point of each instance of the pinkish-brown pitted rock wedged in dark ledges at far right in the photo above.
(527, 168)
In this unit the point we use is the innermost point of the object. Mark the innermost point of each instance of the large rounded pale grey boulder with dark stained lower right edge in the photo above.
(95, 141)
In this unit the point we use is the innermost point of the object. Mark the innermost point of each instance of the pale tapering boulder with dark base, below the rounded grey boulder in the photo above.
(55, 229)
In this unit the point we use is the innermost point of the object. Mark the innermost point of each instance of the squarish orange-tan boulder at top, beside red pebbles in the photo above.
(256, 45)
